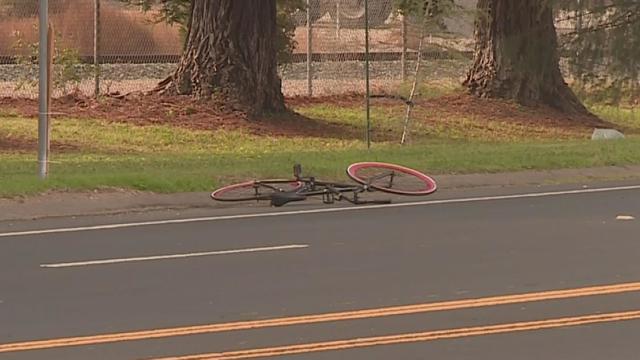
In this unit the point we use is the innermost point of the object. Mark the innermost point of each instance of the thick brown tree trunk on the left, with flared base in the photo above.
(231, 52)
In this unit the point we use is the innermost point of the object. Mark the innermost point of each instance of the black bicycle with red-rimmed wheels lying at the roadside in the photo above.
(369, 176)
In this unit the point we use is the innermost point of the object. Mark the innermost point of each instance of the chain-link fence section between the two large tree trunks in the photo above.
(338, 49)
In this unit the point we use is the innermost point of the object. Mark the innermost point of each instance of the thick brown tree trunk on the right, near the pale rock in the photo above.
(516, 55)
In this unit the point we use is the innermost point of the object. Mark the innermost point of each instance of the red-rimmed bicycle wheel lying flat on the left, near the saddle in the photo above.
(254, 190)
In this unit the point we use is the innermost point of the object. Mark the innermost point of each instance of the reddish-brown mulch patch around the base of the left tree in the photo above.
(183, 112)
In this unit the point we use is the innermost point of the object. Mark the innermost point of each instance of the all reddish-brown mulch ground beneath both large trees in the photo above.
(189, 113)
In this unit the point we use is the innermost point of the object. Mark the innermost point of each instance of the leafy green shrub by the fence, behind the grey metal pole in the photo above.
(68, 70)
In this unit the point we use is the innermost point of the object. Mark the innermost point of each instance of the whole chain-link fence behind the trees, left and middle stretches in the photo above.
(134, 51)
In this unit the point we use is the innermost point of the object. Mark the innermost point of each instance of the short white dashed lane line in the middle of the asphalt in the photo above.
(174, 256)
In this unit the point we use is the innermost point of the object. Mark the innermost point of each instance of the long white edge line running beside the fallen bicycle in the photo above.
(318, 211)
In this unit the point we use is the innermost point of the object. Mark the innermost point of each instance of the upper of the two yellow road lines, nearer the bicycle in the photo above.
(310, 319)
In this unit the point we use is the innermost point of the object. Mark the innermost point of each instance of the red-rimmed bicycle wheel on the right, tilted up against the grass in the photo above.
(392, 178)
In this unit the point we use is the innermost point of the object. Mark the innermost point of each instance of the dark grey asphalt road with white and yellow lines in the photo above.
(551, 277)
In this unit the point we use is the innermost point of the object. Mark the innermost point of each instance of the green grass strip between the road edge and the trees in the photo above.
(170, 159)
